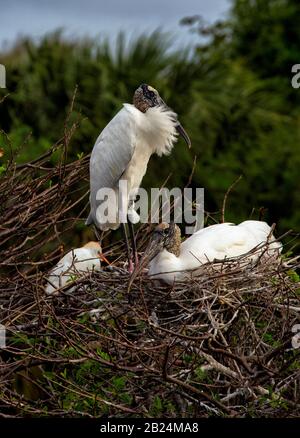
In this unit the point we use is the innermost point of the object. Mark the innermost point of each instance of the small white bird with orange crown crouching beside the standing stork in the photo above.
(74, 263)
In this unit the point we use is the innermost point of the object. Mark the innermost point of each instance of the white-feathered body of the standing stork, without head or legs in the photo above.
(122, 152)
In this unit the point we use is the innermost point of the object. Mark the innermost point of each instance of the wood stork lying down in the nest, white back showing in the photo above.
(170, 259)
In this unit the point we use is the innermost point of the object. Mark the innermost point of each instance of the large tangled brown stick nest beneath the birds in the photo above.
(220, 344)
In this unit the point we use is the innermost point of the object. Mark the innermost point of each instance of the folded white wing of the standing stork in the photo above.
(111, 154)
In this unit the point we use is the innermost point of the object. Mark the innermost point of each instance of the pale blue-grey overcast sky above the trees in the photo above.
(94, 17)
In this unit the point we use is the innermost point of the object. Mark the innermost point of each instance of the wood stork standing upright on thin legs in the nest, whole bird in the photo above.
(122, 152)
